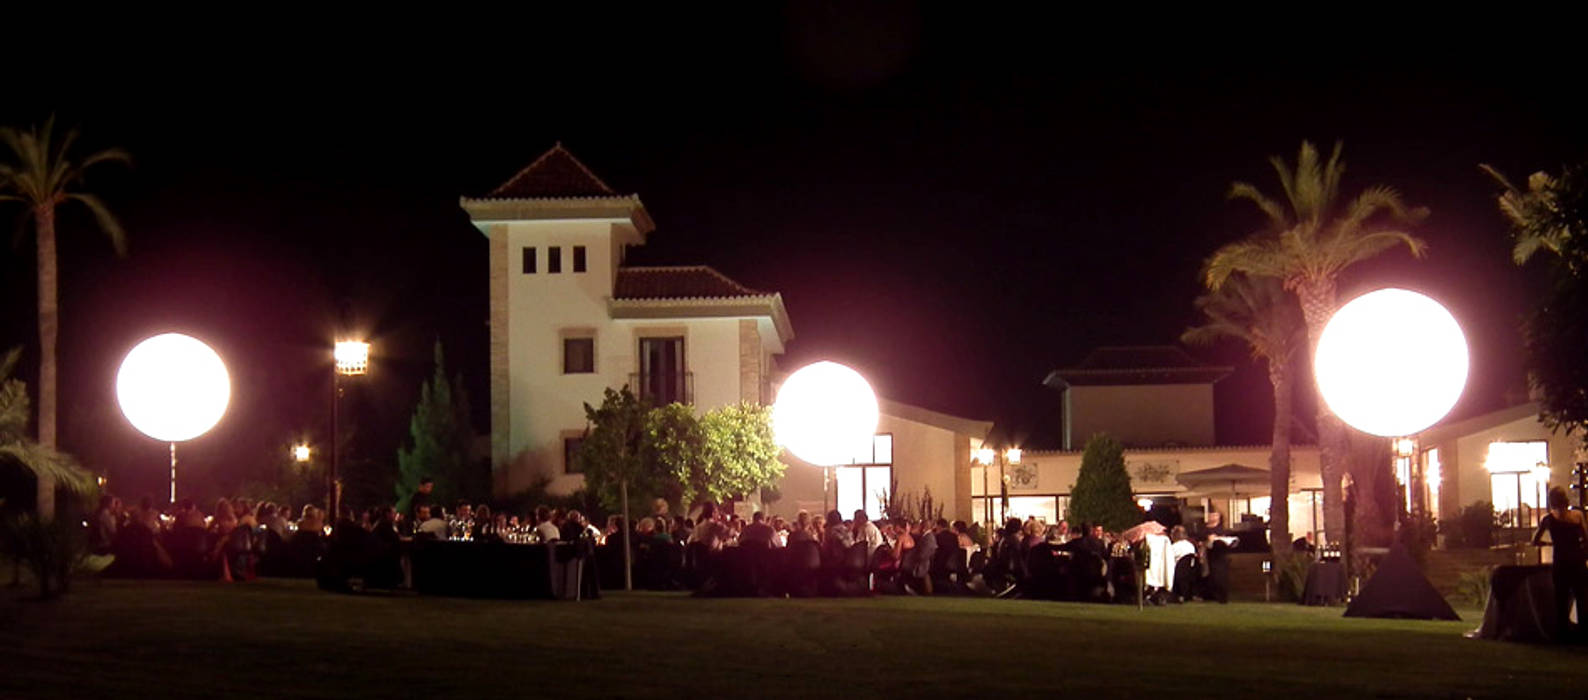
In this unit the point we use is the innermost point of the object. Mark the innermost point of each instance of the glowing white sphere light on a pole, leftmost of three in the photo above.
(172, 388)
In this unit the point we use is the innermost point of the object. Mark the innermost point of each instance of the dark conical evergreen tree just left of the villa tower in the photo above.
(441, 436)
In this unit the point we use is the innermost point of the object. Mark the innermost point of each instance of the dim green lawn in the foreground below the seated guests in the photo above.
(285, 639)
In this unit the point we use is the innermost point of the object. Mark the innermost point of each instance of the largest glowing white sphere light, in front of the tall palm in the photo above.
(1392, 363)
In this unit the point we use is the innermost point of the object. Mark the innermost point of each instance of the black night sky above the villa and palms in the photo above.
(954, 204)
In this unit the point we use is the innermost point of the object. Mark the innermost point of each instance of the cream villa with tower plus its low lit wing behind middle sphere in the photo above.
(571, 320)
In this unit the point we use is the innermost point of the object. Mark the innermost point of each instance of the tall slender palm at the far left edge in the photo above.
(42, 177)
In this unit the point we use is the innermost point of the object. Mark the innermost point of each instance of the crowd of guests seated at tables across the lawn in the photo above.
(704, 550)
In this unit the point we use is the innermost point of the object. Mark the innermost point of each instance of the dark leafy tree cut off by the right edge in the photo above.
(1552, 215)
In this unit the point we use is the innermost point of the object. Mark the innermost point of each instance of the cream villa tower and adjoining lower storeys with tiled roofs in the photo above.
(571, 320)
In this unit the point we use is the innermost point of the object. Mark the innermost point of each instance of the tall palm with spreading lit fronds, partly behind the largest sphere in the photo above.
(1309, 240)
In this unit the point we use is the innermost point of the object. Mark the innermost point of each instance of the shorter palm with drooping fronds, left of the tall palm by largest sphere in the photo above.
(1263, 315)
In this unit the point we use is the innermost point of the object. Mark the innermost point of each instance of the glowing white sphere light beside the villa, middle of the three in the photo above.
(827, 415)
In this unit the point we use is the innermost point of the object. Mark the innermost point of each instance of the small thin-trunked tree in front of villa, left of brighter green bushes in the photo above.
(614, 456)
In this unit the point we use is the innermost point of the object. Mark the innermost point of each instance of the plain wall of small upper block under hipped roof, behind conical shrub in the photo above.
(1147, 415)
